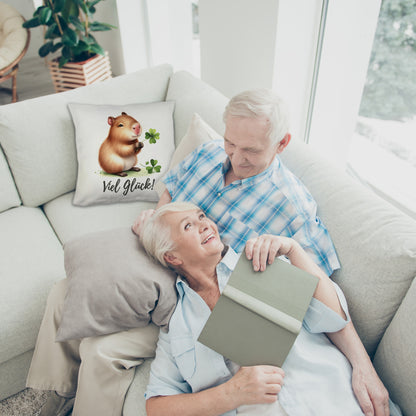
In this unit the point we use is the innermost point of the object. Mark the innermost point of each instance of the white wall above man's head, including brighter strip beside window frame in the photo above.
(267, 44)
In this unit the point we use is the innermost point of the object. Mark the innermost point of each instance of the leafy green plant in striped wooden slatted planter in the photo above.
(68, 32)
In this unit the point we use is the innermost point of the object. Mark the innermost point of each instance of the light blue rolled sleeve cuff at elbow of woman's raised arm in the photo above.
(320, 318)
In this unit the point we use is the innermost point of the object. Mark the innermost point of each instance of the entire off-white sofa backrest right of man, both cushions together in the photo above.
(376, 245)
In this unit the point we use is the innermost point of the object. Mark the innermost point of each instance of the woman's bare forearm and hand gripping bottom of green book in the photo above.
(250, 385)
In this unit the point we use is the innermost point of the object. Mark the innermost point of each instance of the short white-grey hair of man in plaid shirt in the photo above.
(261, 104)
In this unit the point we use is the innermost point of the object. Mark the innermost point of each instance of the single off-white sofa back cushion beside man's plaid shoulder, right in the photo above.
(375, 242)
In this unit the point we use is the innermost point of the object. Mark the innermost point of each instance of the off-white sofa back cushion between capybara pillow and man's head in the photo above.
(191, 95)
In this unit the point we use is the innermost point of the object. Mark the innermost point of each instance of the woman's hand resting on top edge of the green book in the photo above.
(264, 249)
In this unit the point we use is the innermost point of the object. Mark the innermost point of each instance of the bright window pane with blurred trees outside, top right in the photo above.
(383, 149)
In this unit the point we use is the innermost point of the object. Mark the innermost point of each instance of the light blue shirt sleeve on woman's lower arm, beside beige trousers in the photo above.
(165, 378)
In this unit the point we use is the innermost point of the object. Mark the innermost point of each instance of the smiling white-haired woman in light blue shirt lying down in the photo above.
(187, 378)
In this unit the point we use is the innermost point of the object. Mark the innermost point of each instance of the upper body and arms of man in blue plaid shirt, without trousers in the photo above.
(242, 185)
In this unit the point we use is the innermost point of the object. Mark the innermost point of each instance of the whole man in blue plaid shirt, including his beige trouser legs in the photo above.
(242, 185)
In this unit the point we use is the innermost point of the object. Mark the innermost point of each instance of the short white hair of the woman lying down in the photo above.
(155, 234)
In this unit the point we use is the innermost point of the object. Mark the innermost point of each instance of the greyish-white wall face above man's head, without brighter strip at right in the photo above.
(238, 42)
